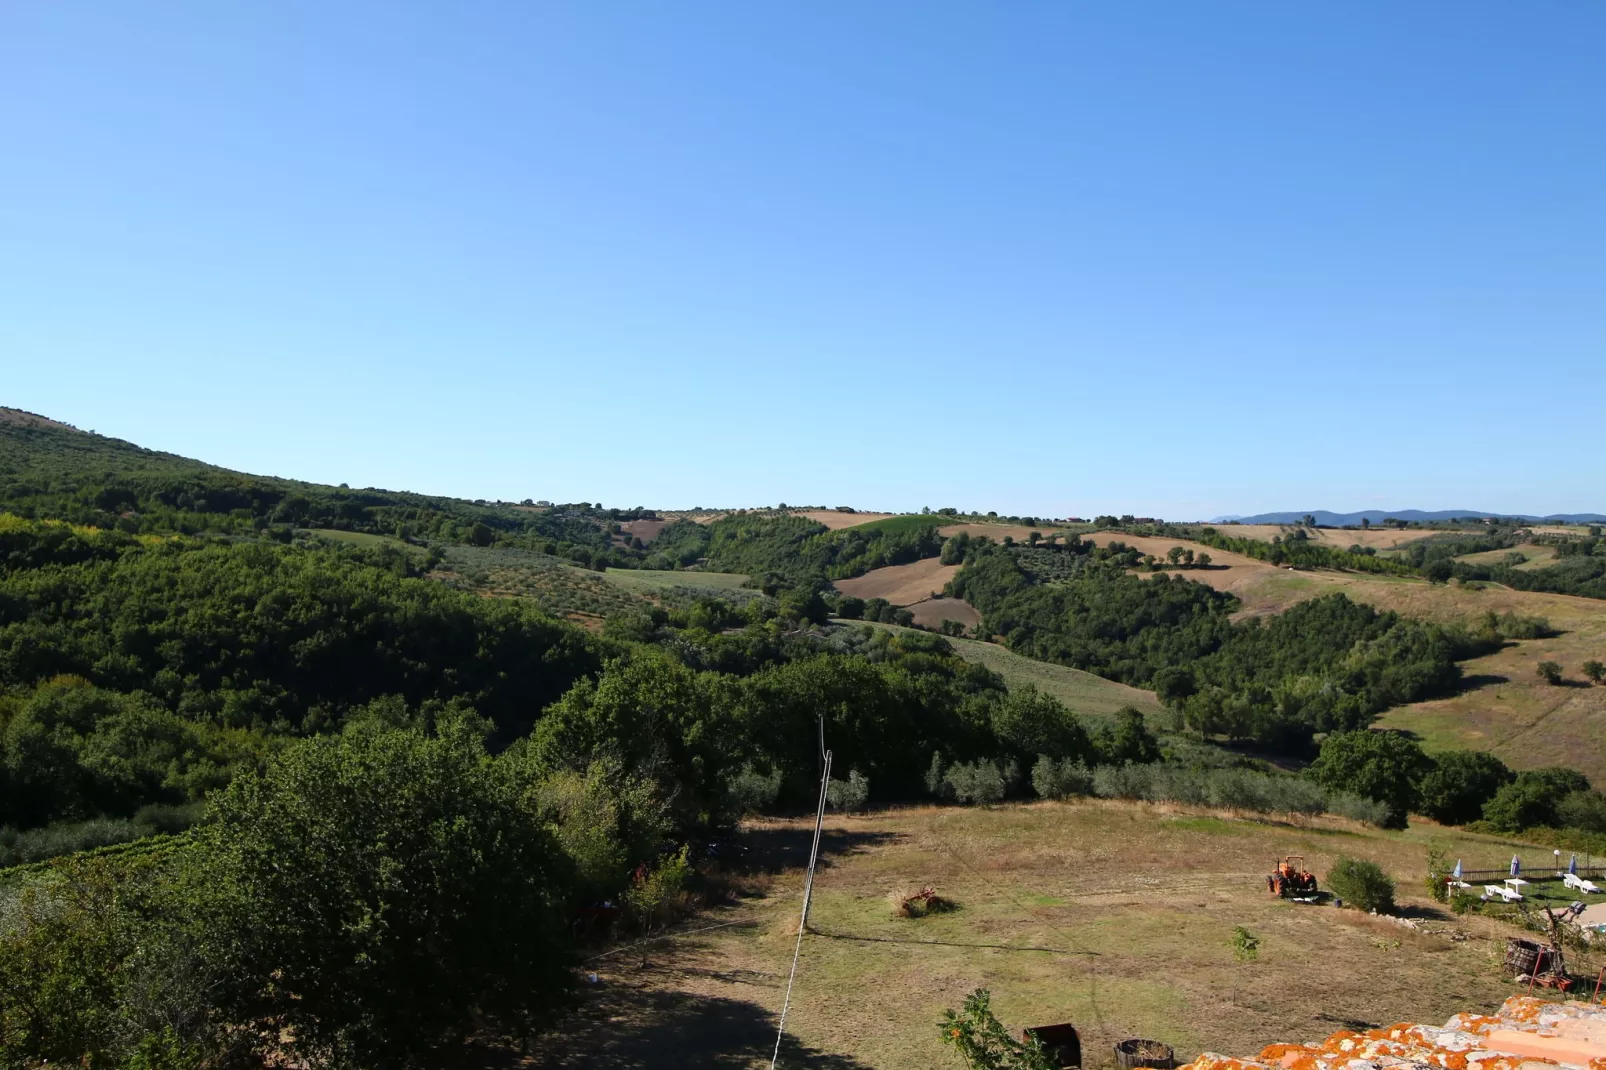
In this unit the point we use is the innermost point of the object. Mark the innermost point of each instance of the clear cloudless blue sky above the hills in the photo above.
(1172, 259)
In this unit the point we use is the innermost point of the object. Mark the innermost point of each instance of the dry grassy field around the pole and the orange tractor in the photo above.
(1114, 917)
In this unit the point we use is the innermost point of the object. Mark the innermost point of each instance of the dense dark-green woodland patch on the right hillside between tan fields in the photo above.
(1324, 666)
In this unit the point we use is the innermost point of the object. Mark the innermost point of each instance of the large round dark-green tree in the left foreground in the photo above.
(373, 896)
